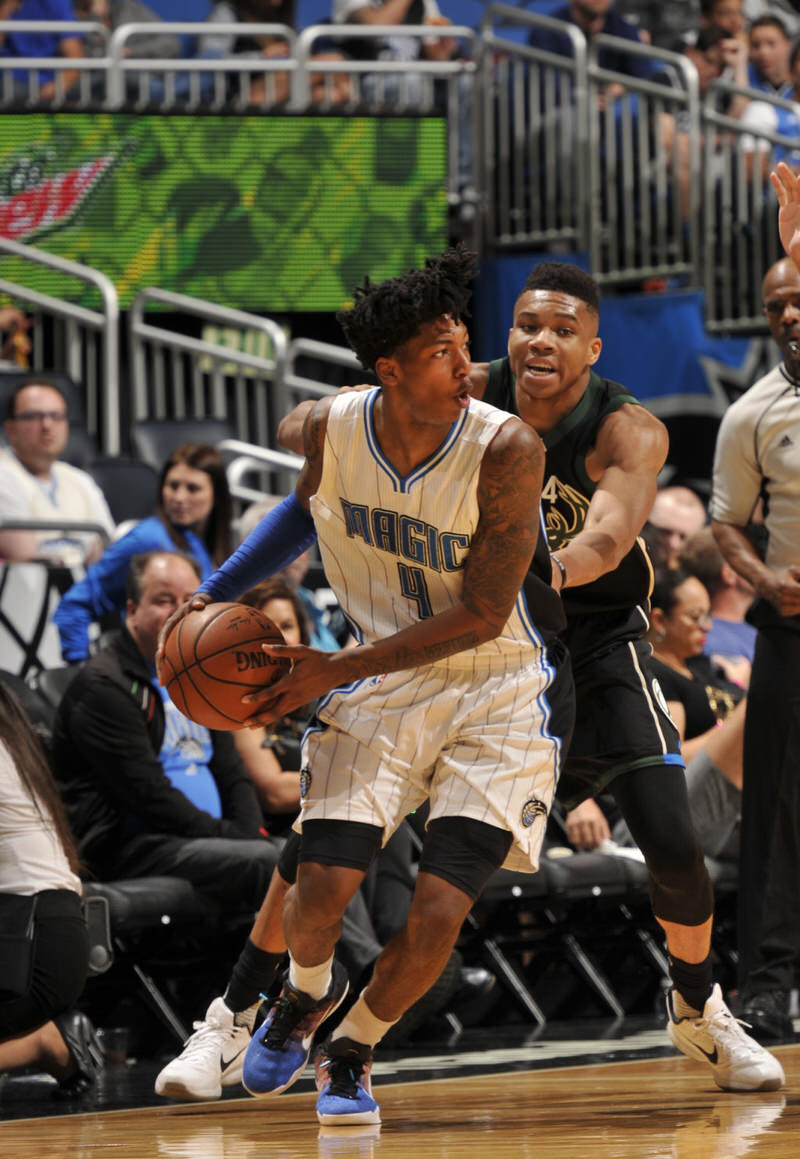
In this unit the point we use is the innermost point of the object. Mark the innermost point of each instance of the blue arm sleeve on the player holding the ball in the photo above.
(285, 534)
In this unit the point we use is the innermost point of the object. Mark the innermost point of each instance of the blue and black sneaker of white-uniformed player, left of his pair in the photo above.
(280, 1049)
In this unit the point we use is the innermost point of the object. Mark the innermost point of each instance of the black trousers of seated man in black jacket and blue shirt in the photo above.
(232, 873)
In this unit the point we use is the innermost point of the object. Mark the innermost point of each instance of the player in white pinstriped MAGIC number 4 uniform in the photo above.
(426, 507)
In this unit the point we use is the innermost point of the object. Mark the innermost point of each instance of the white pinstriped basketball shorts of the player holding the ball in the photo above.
(476, 745)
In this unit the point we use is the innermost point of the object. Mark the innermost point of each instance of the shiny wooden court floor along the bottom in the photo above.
(665, 1109)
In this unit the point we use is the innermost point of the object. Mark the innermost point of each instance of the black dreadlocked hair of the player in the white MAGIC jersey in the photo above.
(387, 316)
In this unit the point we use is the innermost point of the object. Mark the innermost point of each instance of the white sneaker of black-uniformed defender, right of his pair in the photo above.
(738, 1062)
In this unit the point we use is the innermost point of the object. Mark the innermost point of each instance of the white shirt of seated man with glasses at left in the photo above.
(69, 495)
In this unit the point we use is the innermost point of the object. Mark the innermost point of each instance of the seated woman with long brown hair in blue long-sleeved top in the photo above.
(193, 515)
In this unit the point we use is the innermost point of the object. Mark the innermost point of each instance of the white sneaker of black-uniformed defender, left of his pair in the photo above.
(213, 1056)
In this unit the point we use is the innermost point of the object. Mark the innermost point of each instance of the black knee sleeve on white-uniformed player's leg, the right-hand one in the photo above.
(464, 852)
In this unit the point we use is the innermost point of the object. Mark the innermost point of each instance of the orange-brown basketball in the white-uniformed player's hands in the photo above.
(214, 658)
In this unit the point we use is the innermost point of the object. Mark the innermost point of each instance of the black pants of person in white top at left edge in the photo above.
(61, 959)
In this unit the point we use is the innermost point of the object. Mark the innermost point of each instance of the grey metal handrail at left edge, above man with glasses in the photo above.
(90, 338)
